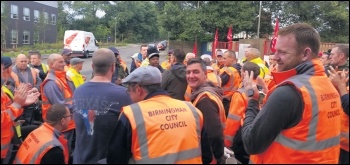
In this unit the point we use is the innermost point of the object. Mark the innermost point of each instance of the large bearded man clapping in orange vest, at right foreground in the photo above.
(300, 121)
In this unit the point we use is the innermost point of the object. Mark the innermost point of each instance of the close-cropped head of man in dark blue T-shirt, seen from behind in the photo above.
(102, 60)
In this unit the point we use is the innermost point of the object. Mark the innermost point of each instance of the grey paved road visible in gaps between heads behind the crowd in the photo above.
(126, 52)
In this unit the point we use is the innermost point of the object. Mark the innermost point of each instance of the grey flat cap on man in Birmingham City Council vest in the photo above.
(145, 75)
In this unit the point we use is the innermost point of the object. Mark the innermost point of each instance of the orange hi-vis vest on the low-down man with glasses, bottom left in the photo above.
(38, 143)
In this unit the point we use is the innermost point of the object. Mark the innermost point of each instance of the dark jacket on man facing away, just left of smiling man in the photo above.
(174, 81)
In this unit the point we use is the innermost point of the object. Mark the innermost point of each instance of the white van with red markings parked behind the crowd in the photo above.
(81, 43)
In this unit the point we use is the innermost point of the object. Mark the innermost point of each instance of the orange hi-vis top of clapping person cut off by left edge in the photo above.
(8, 114)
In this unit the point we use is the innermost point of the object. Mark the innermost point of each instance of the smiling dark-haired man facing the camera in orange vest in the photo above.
(208, 99)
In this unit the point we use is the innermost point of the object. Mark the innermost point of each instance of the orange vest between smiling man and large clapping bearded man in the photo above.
(235, 117)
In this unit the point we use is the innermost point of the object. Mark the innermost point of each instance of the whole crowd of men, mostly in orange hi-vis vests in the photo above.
(188, 109)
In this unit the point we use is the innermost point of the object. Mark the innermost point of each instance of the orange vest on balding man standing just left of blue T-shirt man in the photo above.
(65, 89)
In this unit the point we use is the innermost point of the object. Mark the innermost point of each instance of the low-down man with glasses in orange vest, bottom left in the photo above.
(46, 144)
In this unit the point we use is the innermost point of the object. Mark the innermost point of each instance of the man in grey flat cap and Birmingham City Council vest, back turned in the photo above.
(157, 128)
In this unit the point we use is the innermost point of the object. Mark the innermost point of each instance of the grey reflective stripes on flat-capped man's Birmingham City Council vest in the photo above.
(142, 139)
